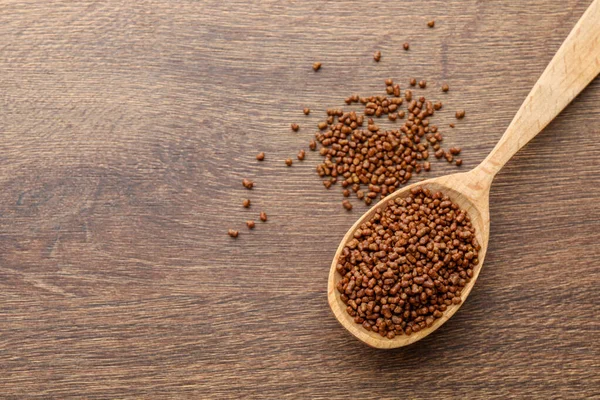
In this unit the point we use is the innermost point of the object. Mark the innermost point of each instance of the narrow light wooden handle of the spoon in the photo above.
(573, 67)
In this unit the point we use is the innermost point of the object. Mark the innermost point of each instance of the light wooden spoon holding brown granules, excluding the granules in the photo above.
(574, 66)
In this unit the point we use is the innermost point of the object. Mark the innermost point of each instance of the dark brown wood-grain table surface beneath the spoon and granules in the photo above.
(126, 128)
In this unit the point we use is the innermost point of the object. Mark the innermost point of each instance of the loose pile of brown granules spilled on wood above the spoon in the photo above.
(374, 162)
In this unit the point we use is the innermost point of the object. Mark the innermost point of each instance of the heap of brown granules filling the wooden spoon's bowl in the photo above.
(408, 264)
